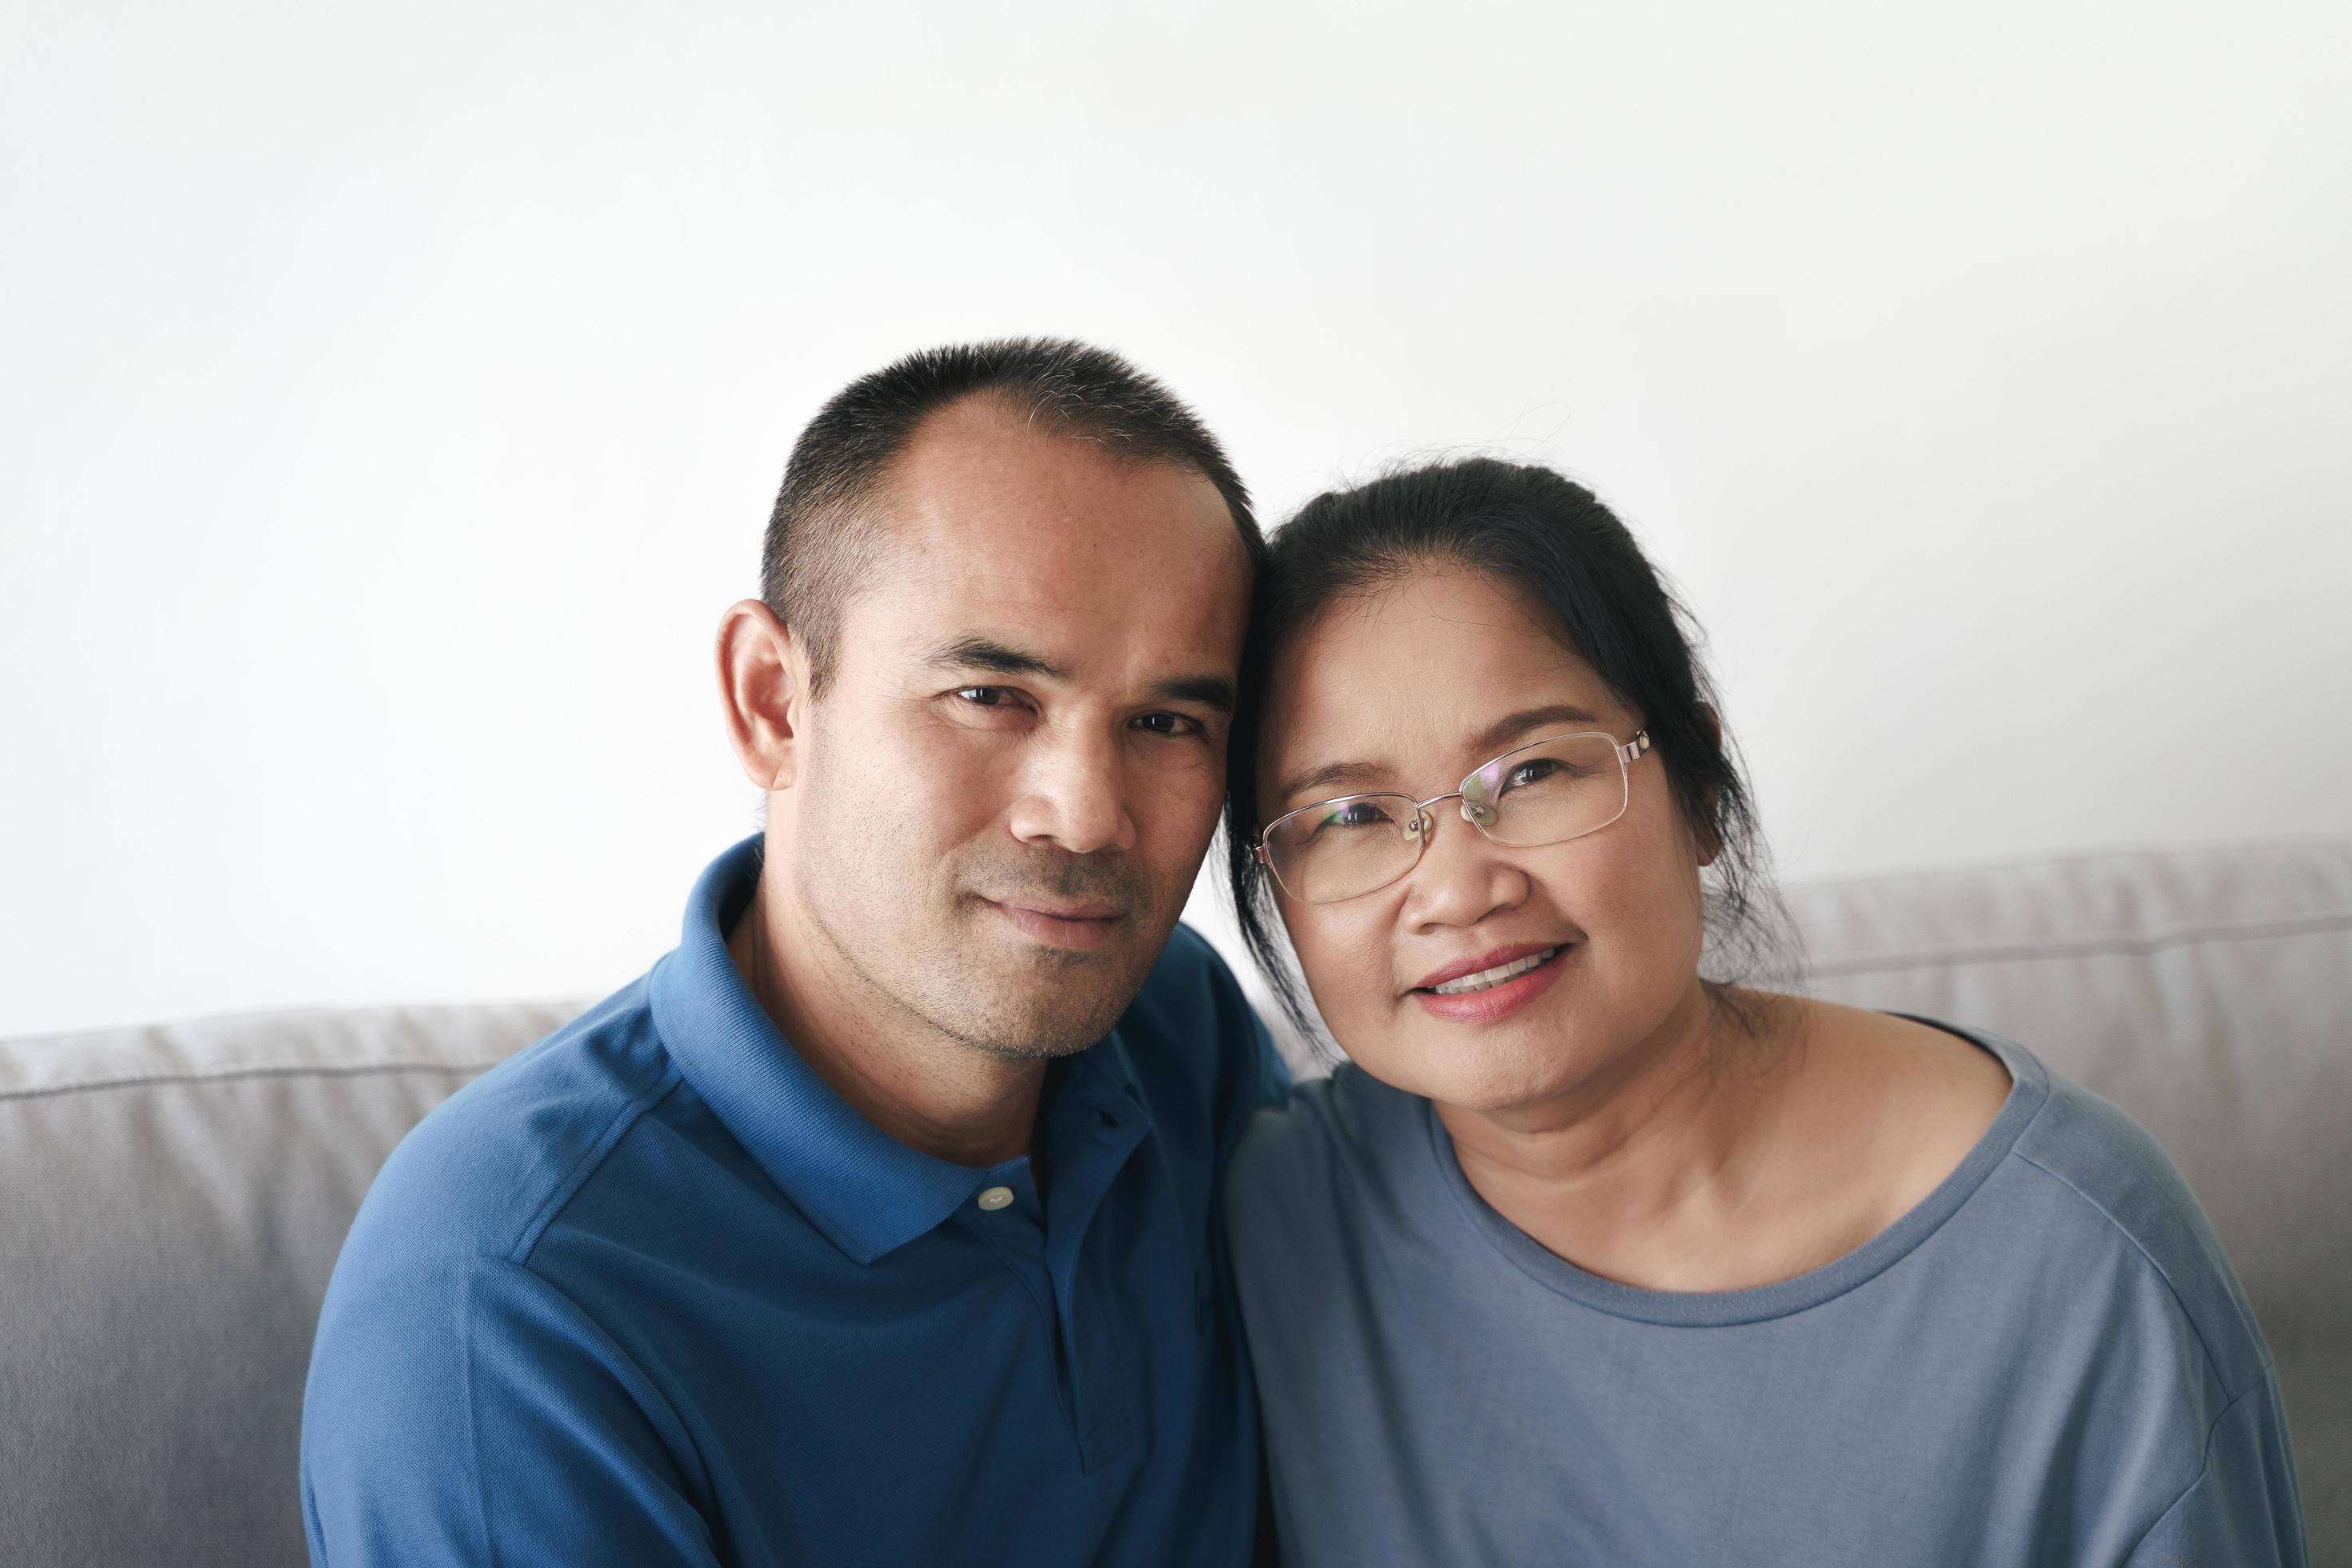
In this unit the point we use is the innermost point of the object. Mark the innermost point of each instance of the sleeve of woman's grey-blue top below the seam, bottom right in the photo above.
(2243, 1508)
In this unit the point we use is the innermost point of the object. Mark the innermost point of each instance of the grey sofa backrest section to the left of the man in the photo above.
(171, 1207)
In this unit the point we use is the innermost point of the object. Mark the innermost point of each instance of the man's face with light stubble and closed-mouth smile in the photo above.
(1013, 777)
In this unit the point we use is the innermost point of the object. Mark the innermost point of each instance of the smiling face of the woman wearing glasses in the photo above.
(1410, 688)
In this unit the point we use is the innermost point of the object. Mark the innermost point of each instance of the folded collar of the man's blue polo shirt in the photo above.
(860, 1186)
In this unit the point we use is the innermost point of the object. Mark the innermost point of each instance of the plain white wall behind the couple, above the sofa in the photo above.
(392, 401)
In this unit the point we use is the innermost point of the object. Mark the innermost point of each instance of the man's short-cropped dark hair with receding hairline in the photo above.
(820, 540)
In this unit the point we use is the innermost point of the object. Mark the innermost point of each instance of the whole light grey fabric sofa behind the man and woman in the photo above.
(173, 1198)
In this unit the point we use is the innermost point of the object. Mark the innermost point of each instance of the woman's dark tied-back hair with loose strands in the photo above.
(1553, 542)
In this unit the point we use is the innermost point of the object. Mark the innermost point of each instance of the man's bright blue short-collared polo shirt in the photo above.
(653, 1294)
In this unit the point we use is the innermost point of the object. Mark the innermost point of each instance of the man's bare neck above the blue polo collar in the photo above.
(926, 1090)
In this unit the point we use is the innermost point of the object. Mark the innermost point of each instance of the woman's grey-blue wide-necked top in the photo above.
(2045, 1362)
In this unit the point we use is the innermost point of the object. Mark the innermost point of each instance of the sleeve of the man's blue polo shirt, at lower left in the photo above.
(479, 1416)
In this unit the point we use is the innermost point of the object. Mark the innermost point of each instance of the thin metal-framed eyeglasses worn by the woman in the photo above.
(1544, 793)
